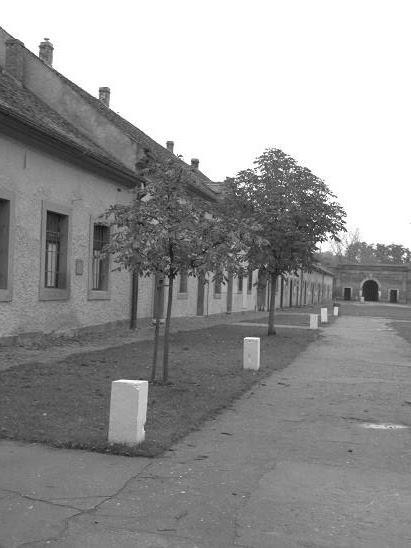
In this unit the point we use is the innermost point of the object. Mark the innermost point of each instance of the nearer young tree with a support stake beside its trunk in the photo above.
(167, 230)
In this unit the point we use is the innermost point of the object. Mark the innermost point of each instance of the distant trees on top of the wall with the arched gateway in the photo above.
(352, 250)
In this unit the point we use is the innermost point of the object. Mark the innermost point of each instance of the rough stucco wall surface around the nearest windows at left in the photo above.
(33, 177)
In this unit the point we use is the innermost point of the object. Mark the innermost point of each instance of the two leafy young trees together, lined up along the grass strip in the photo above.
(271, 218)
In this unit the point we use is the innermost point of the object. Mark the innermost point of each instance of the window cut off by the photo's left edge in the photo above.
(6, 232)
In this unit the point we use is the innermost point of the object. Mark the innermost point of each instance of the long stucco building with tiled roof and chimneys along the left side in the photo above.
(65, 157)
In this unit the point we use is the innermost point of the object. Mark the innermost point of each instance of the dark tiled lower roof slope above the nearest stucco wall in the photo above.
(24, 105)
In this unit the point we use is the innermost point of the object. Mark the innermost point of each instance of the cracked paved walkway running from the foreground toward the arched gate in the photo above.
(291, 464)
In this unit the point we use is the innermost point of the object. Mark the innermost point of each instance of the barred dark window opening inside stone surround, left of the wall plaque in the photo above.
(56, 237)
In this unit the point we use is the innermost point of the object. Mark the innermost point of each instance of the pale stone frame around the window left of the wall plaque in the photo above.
(54, 293)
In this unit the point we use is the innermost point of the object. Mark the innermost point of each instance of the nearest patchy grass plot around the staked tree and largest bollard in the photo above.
(66, 404)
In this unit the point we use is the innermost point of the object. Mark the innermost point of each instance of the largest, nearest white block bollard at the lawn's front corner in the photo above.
(128, 410)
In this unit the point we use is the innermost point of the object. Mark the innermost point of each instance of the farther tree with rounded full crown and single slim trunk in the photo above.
(290, 210)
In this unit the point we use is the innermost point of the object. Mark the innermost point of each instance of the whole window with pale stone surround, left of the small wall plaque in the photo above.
(54, 278)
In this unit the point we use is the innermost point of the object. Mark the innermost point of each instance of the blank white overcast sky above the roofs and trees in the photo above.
(327, 81)
